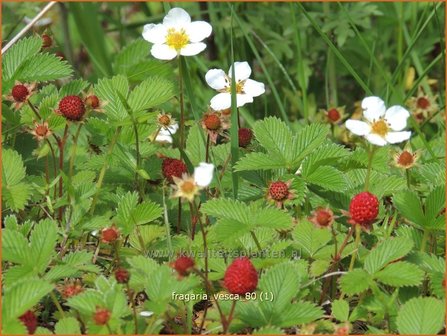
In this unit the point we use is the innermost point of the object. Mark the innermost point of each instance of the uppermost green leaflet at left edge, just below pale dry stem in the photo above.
(21, 51)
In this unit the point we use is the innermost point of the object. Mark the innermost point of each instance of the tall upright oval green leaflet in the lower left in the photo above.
(43, 244)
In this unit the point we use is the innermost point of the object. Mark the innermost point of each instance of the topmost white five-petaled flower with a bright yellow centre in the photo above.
(177, 35)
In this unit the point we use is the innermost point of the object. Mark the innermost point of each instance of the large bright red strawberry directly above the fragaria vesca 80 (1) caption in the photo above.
(241, 277)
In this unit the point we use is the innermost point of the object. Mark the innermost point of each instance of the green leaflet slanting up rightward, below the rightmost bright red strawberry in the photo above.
(386, 252)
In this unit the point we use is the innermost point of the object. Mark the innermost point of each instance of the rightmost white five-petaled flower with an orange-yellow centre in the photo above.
(382, 125)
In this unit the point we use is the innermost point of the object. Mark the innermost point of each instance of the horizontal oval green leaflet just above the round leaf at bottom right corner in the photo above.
(400, 274)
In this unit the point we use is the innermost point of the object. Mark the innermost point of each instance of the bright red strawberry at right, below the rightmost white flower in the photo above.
(364, 208)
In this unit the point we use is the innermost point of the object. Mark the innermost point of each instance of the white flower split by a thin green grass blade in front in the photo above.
(246, 88)
